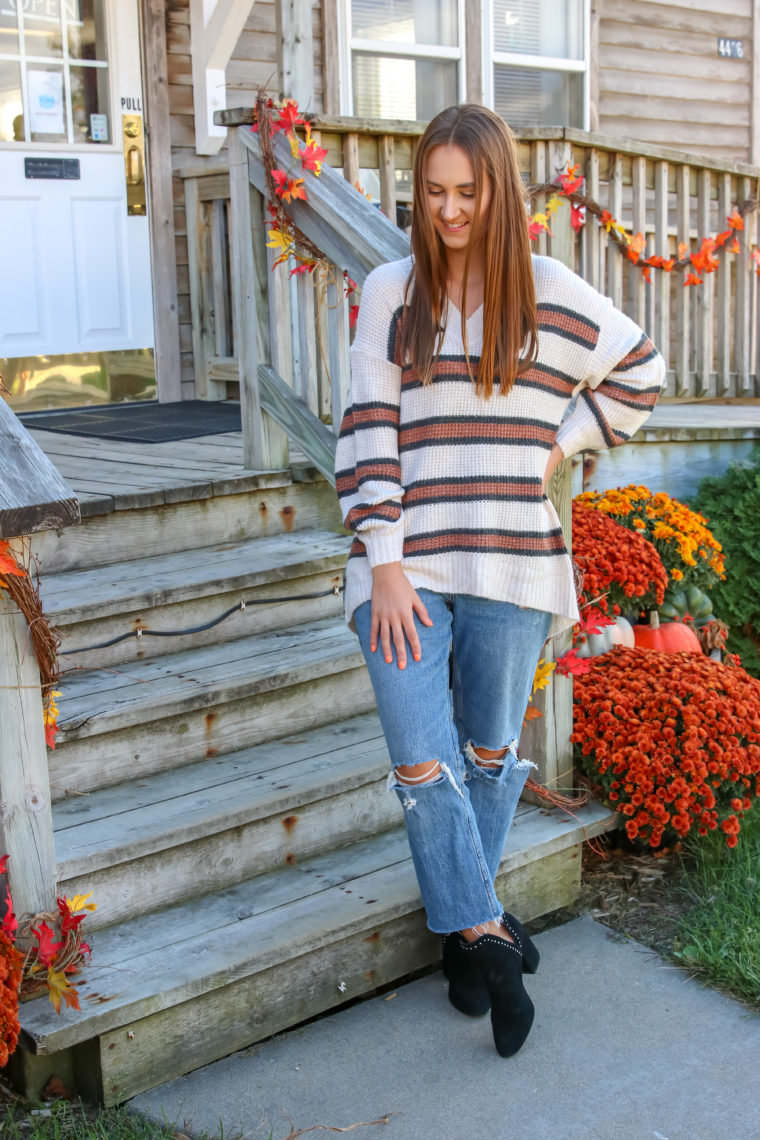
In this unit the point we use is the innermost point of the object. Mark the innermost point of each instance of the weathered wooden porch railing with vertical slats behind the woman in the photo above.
(708, 333)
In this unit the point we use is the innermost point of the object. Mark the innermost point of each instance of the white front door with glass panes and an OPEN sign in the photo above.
(76, 268)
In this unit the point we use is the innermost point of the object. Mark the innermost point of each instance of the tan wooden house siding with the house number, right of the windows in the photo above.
(660, 78)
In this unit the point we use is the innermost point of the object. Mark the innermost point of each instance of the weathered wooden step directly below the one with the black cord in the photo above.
(164, 713)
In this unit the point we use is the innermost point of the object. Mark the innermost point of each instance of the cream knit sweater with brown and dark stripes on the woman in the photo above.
(450, 483)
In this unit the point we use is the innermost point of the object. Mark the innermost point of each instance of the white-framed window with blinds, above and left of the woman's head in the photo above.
(405, 58)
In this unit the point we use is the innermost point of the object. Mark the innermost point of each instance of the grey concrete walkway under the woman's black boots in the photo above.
(624, 1048)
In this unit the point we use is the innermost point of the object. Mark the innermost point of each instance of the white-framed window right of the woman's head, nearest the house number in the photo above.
(538, 62)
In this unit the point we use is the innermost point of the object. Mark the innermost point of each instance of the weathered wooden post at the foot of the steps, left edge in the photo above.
(26, 815)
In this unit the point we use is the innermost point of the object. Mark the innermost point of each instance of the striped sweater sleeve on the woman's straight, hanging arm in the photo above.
(367, 469)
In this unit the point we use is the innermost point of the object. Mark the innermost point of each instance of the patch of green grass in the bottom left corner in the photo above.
(63, 1121)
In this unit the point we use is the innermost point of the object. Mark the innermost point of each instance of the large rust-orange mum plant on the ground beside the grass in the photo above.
(672, 740)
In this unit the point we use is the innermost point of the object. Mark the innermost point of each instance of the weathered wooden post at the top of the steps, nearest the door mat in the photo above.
(244, 303)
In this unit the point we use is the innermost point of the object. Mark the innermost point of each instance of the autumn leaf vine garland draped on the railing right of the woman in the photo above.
(704, 260)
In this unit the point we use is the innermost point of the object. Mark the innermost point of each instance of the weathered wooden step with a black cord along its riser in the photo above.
(192, 589)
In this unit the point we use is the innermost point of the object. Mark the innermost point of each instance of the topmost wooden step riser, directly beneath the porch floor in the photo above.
(209, 515)
